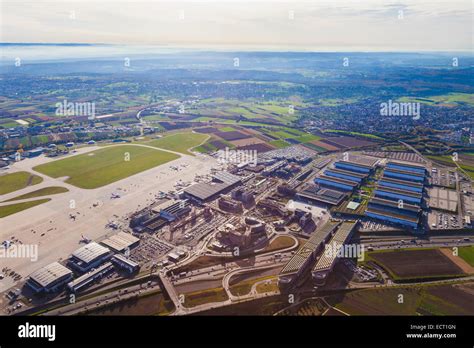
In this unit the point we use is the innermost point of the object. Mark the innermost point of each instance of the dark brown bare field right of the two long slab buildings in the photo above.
(416, 264)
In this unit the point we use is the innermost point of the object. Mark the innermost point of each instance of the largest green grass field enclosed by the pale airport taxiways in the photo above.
(104, 166)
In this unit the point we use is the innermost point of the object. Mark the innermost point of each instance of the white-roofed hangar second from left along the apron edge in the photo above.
(89, 256)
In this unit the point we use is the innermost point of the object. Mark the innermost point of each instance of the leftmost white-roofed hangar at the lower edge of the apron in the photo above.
(50, 278)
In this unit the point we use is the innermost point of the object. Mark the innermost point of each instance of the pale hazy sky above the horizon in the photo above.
(414, 25)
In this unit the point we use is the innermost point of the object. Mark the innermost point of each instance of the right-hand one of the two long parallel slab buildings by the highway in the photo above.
(328, 260)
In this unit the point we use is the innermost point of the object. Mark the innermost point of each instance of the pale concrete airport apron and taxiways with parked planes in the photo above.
(57, 235)
